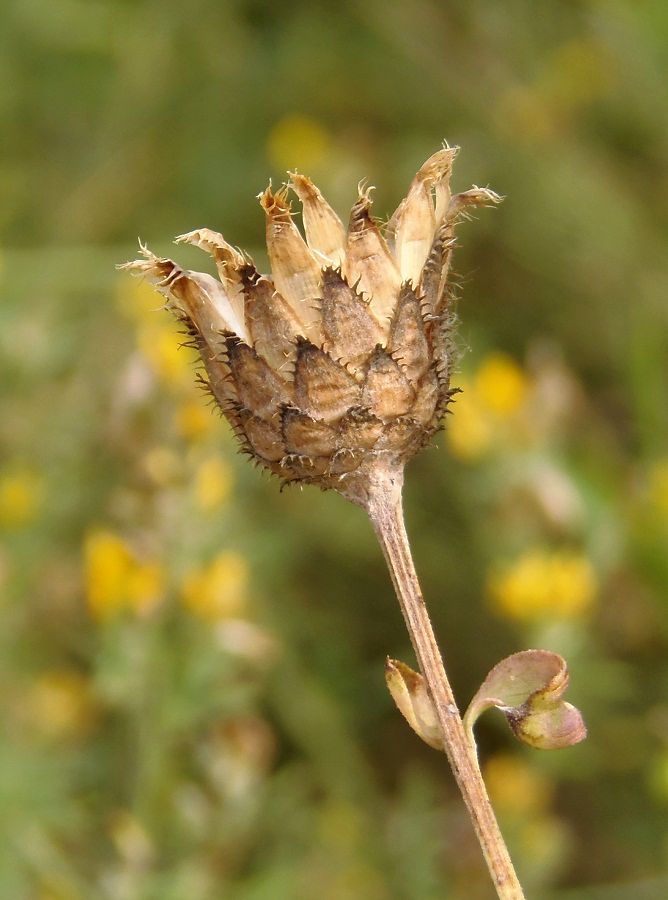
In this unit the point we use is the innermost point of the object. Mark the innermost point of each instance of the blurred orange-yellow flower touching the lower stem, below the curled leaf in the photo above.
(515, 787)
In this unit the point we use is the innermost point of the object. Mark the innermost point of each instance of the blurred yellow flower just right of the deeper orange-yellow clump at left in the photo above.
(217, 591)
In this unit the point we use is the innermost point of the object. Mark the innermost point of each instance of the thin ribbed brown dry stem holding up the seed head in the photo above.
(384, 507)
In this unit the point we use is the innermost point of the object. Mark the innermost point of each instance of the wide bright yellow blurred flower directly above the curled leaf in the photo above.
(543, 584)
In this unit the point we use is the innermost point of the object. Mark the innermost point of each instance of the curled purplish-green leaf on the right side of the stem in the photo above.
(528, 687)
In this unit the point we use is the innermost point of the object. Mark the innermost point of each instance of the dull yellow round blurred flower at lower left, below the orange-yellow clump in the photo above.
(60, 704)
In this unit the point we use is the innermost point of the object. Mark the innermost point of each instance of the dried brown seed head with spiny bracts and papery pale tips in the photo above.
(338, 363)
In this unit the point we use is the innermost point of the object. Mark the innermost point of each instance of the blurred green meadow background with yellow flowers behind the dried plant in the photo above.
(191, 662)
